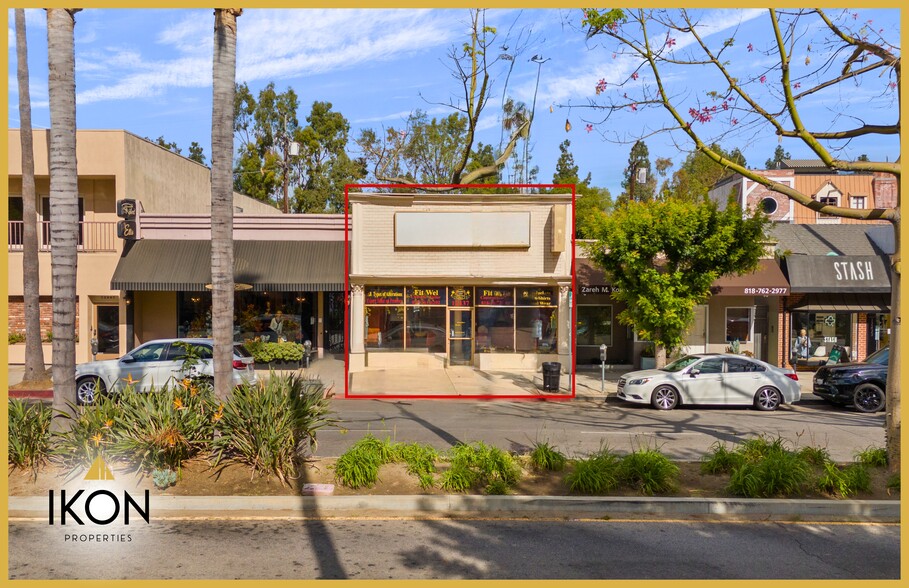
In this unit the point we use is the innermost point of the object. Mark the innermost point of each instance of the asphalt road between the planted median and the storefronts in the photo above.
(579, 427)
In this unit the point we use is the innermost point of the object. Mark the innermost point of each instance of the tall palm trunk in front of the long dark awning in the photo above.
(222, 246)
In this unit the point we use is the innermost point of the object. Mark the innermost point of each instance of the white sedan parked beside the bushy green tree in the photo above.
(709, 378)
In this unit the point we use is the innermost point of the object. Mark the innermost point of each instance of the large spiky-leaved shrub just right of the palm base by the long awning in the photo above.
(270, 426)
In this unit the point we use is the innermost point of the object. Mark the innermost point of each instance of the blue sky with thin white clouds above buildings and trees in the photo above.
(149, 72)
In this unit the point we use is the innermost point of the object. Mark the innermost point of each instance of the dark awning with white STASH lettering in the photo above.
(838, 273)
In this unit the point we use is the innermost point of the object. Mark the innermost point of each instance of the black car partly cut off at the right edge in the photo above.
(861, 384)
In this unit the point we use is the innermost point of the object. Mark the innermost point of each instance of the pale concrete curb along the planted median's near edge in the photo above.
(562, 506)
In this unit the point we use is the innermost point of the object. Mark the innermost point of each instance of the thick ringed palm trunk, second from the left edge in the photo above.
(64, 202)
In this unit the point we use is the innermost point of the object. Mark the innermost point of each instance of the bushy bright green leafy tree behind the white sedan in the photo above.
(662, 256)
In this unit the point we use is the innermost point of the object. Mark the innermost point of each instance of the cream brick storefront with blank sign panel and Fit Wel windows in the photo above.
(471, 280)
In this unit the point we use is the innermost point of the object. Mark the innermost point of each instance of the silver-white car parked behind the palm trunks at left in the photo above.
(156, 364)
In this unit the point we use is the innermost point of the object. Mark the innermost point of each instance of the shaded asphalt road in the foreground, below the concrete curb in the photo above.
(447, 549)
